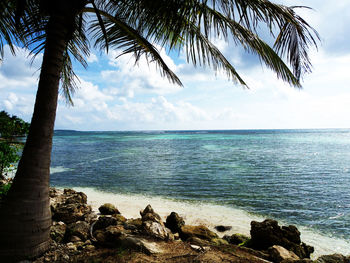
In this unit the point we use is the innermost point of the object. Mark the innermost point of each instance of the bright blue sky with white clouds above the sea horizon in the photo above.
(117, 95)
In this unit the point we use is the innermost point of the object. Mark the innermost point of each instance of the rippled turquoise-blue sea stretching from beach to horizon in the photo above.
(298, 176)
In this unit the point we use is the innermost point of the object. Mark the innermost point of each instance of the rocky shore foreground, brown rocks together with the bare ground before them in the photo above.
(80, 235)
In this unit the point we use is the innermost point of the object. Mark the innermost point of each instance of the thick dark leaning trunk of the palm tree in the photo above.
(25, 217)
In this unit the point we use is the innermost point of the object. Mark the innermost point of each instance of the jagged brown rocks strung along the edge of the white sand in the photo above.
(76, 229)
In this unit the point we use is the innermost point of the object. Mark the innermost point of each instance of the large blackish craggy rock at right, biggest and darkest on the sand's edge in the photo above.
(268, 233)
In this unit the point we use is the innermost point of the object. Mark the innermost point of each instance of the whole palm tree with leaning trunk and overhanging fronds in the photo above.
(61, 29)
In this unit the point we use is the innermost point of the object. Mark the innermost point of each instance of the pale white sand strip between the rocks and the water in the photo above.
(209, 215)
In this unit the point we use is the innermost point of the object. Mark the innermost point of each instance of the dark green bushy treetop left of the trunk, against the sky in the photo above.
(12, 126)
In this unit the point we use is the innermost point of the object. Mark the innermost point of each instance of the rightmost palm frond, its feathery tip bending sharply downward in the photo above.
(295, 36)
